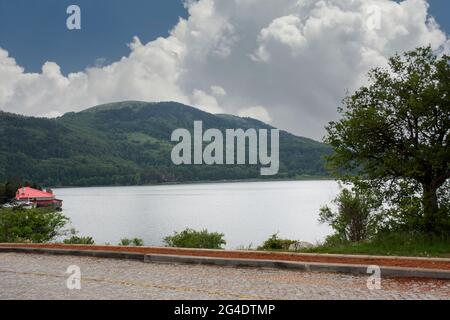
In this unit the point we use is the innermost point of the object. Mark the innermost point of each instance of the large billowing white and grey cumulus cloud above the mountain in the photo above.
(297, 58)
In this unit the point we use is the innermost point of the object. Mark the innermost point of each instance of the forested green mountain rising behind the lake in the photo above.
(128, 143)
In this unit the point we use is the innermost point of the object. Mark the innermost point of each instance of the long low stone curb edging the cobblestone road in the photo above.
(386, 271)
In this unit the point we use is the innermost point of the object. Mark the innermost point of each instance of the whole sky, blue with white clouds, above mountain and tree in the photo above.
(286, 62)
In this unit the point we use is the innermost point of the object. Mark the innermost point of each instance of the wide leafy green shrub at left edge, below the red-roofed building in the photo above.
(32, 225)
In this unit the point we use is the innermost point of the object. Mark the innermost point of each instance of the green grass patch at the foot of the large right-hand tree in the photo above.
(391, 245)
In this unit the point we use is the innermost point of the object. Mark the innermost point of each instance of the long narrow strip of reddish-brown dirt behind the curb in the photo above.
(320, 258)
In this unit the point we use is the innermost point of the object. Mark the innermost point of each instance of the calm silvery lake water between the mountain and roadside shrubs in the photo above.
(247, 213)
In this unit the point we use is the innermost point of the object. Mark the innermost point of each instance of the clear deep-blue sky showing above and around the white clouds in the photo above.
(34, 31)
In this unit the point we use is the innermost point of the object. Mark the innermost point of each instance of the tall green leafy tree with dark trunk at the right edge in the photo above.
(394, 134)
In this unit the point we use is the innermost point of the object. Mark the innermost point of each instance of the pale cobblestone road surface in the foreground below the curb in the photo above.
(29, 276)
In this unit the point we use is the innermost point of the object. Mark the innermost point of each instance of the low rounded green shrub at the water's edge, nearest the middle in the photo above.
(190, 238)
